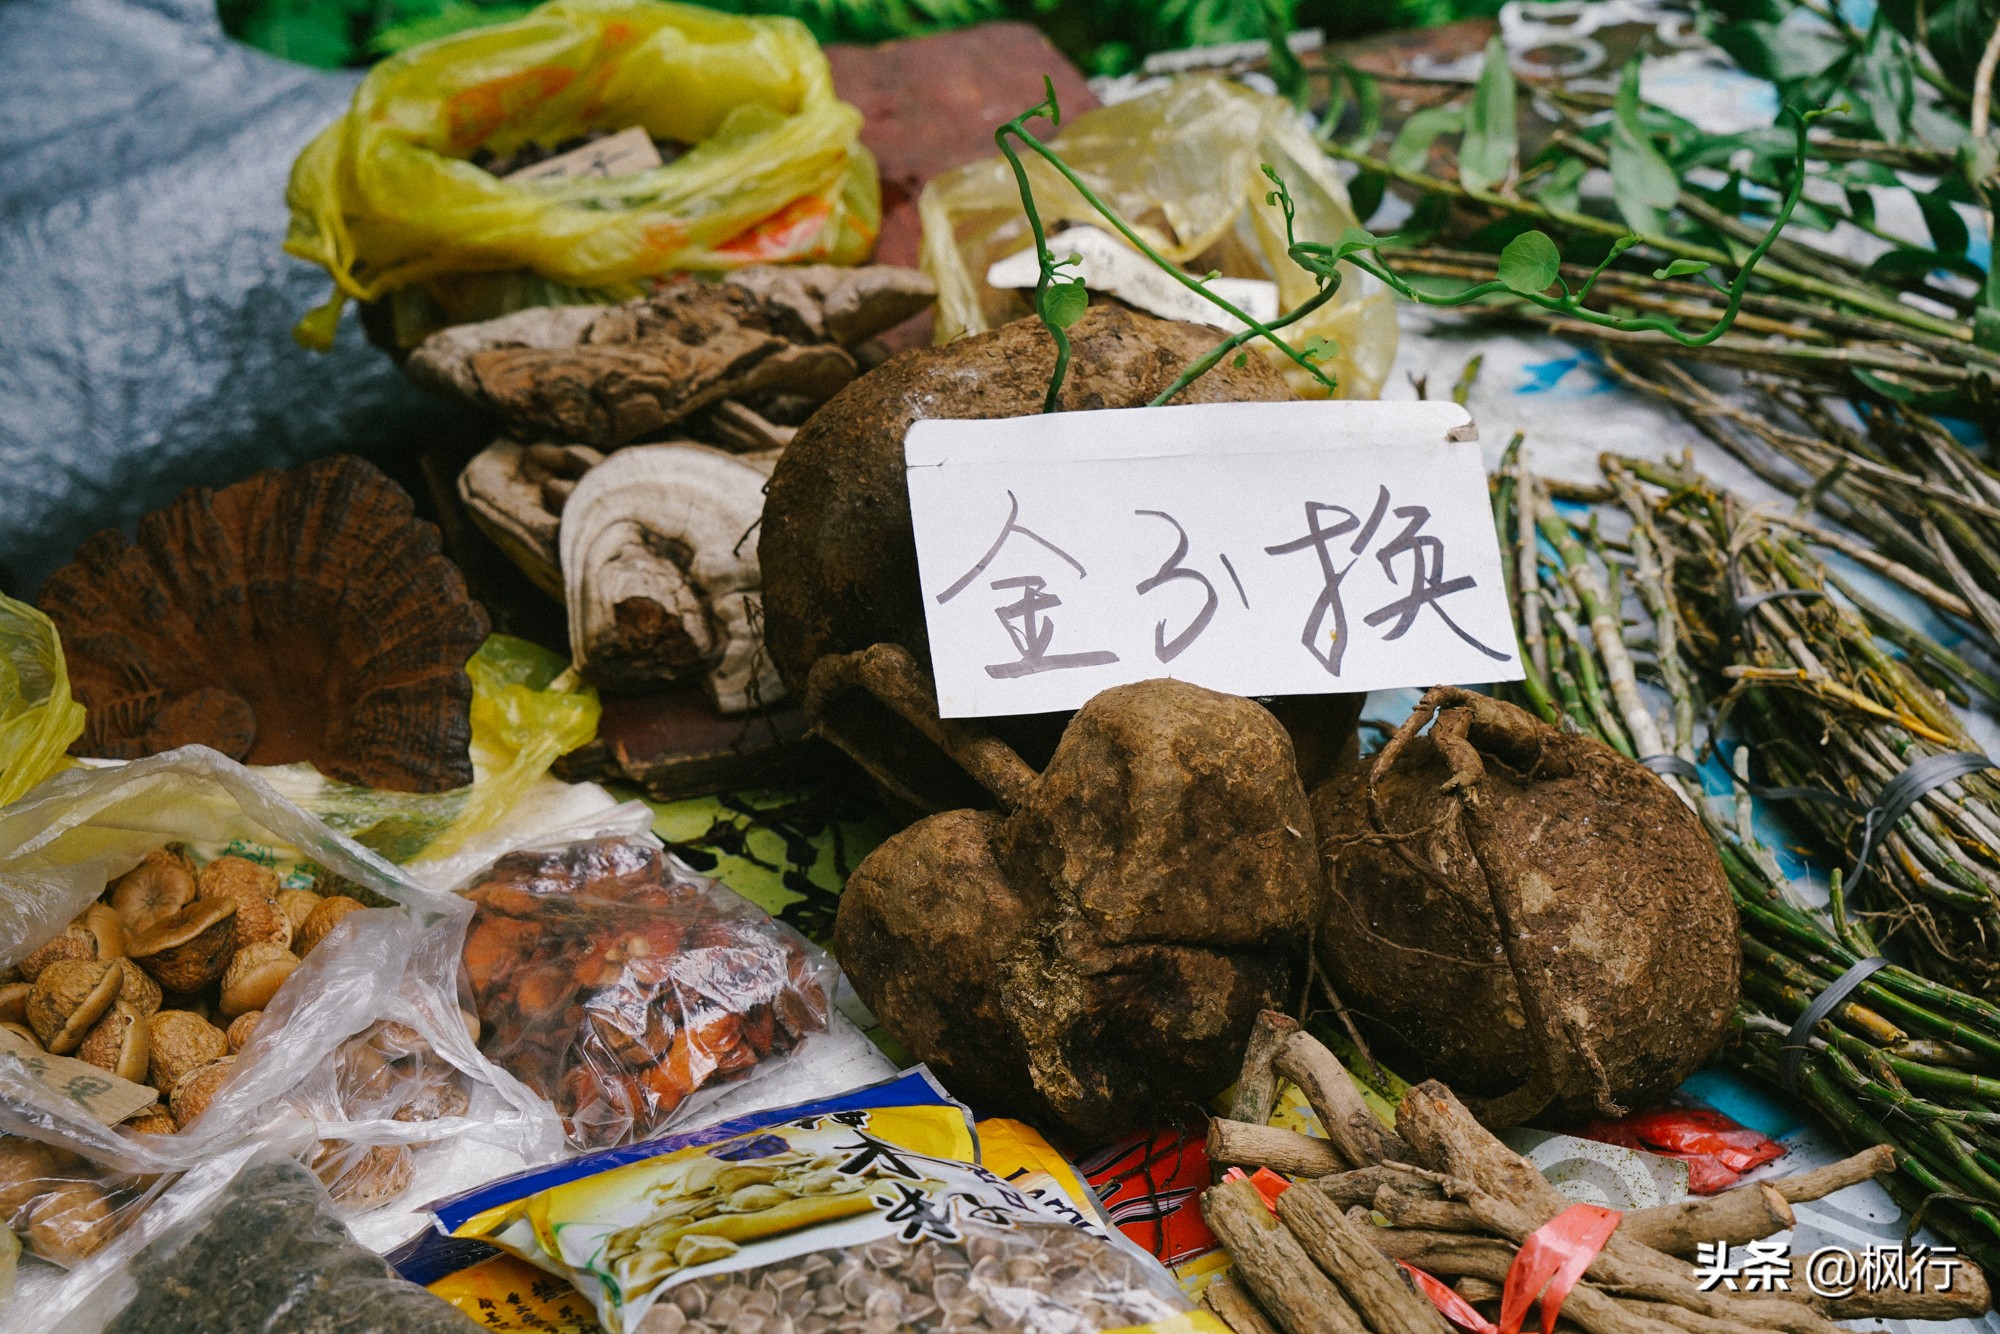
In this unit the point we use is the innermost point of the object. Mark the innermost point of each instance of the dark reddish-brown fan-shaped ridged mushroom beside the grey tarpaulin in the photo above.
(301, 615)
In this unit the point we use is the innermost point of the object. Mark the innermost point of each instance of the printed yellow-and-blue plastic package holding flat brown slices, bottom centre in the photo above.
(865, 1211)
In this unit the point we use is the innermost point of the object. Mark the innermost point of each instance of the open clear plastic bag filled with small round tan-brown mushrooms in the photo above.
(149, 921)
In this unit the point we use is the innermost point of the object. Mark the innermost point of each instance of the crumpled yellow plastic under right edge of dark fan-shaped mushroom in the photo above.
(527, 713)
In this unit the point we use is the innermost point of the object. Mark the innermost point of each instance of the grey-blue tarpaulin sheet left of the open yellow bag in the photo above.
(145, 303)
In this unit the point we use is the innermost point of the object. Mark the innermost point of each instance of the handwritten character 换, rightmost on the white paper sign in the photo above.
(1429, 585)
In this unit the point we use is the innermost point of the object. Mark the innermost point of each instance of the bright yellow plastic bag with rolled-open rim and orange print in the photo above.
(385, 197)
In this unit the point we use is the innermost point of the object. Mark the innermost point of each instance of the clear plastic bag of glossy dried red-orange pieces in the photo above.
(627, 991)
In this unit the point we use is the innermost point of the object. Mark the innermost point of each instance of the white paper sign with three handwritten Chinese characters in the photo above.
(1255, 549)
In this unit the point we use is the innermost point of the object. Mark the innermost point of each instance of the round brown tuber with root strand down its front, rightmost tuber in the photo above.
(1525, 913)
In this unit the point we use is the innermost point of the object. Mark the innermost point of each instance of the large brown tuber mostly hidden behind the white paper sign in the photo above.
(837, 549)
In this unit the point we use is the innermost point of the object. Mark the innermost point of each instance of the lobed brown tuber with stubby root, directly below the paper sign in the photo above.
(1095, 955)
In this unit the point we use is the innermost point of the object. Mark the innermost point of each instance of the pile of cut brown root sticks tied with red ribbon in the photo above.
(1381, 1215)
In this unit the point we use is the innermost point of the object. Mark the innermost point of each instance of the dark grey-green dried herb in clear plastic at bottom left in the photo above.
(267, 1255)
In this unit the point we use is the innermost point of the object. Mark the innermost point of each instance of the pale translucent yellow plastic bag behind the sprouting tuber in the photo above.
(1183, 167)
